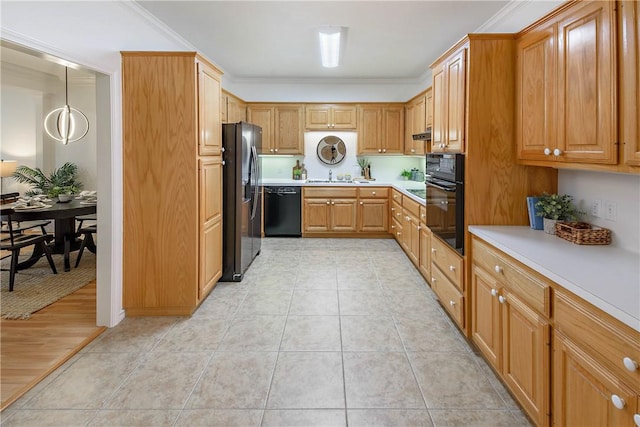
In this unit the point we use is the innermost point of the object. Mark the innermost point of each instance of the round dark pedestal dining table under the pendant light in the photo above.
(65, 237)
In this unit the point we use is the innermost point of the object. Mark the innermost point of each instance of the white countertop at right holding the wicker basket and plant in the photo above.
(577, 268)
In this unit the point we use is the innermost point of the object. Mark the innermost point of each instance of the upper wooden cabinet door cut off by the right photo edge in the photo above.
(630, 81)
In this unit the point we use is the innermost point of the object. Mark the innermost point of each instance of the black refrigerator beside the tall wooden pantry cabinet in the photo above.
(242, 198)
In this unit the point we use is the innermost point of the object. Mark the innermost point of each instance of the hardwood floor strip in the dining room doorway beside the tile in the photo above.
(31, 349)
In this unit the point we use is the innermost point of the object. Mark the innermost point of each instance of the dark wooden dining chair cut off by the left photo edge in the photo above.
(12, 241)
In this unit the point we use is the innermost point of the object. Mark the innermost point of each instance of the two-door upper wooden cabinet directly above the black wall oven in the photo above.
(448, 86)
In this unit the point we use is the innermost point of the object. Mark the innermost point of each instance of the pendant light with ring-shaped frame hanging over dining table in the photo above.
(66, 124)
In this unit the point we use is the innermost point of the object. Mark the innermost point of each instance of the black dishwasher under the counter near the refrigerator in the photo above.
(282, 211)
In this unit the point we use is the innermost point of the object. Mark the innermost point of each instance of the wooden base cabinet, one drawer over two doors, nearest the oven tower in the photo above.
(510, 326)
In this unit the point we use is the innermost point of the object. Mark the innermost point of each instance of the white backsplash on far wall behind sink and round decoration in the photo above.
(383, 168)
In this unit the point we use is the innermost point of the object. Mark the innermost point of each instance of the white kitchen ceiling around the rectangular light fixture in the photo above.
(267, 40)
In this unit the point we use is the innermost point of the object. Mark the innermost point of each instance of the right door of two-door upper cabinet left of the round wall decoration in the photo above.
(289, 132)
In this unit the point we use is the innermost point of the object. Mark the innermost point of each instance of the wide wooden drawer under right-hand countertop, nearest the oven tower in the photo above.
(514, 276)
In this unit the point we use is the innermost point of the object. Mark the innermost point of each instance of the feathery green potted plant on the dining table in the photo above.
(60, 183)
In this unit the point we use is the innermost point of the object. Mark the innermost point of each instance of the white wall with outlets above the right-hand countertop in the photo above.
(622, 189)
